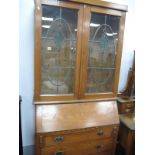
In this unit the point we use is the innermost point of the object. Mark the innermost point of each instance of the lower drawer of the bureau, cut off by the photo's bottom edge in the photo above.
(85, 148)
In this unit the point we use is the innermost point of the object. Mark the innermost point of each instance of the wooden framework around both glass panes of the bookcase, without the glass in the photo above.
(82, 47)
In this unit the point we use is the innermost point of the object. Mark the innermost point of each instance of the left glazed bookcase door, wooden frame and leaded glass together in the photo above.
(58, 64)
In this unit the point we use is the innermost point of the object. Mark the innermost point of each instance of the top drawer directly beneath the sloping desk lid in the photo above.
(78, 136)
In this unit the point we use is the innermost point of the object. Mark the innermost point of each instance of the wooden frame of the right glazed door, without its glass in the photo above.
(85, 52)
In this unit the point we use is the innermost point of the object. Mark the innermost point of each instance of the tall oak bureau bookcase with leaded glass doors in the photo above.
(78, 48)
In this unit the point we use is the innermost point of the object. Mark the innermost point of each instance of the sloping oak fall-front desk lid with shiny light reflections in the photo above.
(60, 117)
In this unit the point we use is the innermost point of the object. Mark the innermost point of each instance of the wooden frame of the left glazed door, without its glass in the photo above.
(38, 14)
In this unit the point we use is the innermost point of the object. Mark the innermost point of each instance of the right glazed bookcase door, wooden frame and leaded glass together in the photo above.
(101, 53)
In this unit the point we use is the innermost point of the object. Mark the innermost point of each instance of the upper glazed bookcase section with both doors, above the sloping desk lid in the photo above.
(78, 50)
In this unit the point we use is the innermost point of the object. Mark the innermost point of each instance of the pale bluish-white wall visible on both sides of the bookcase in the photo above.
(26, 62)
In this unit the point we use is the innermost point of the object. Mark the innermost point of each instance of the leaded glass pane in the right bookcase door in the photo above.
(102, 53)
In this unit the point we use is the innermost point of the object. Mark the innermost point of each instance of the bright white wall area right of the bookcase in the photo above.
(128, 46)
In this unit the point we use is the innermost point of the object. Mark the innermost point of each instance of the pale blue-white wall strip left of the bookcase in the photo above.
(26, 71)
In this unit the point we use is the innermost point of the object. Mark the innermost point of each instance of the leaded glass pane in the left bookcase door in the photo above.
(59, 32)
